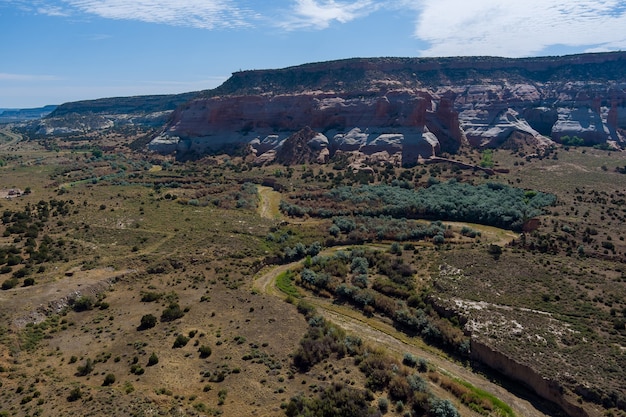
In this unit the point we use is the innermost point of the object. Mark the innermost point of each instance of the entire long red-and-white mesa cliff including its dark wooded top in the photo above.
(408, 108)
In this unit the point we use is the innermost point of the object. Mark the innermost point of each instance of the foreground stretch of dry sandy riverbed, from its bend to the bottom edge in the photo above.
(380, 332)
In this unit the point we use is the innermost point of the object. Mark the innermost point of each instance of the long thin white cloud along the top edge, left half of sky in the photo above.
(204, 14)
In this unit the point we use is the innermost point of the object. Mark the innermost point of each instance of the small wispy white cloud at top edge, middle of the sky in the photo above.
(319, 14)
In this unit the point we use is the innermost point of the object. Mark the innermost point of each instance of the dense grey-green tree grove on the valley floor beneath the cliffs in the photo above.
(491, 203)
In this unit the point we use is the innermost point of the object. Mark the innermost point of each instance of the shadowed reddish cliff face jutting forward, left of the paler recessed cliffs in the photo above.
(377, 123)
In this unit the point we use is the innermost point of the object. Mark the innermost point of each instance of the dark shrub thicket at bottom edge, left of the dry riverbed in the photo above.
(403, 385)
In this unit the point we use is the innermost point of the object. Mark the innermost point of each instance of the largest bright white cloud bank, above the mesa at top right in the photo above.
(495, 27)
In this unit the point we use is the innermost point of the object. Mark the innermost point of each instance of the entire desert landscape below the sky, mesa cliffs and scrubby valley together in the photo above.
(362, 237)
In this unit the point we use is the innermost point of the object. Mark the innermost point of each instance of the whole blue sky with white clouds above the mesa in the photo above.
(56, 51)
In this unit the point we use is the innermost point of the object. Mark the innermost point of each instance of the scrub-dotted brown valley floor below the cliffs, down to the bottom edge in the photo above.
(136, 284)
